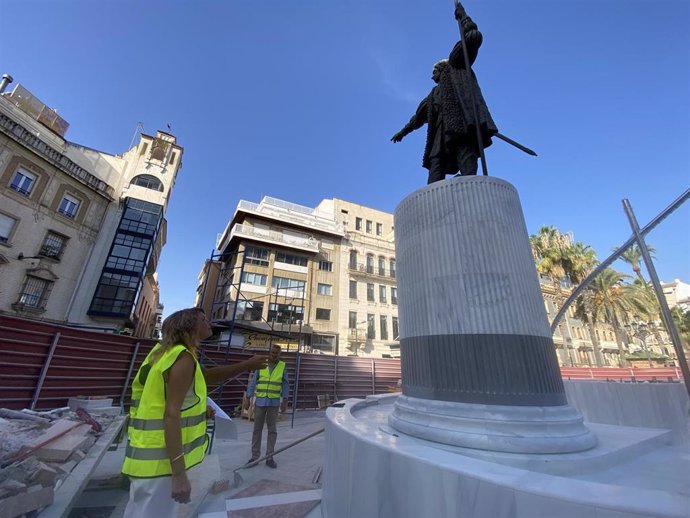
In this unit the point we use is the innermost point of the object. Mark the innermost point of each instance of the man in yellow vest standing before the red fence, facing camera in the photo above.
(270, 386)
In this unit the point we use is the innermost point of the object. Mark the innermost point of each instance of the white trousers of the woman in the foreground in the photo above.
(151, 498)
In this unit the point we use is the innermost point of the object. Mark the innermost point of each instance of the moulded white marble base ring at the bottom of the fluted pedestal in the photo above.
(516, 429)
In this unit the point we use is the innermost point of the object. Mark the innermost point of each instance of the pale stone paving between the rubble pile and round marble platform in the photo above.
(293, 479)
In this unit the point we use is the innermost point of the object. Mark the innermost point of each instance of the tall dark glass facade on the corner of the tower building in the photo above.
(126, 264)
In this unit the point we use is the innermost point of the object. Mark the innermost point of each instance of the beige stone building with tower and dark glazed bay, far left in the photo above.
(81, 230)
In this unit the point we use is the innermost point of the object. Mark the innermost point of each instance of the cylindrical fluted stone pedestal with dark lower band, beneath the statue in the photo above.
(478, 363)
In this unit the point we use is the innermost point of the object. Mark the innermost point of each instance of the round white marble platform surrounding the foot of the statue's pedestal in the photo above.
(369, 472)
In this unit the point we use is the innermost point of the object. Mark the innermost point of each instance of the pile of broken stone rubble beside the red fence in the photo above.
(39, 450)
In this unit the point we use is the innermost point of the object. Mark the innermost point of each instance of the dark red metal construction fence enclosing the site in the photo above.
(42, 365)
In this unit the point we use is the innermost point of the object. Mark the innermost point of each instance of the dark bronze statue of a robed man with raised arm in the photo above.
(451, 143)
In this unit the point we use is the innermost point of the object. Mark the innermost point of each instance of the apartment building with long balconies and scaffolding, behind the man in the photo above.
(277, 271)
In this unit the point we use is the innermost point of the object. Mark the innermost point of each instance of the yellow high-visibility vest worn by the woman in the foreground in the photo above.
(146, 455)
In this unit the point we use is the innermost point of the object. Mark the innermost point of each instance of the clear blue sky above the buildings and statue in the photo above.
(298, 100)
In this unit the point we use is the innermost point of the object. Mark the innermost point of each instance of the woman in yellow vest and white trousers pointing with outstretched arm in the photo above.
(167, 424)
